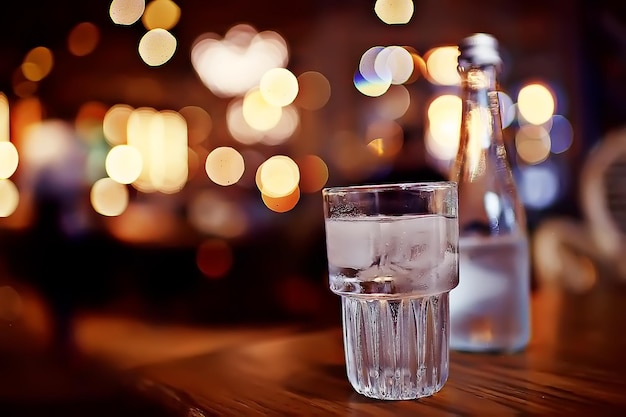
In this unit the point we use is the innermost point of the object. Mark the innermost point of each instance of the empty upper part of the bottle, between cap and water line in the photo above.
(488, 200)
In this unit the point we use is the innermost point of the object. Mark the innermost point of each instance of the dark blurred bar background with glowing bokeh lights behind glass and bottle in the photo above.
(163, 159)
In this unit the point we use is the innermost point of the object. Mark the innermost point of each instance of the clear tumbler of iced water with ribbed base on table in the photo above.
(393, 258)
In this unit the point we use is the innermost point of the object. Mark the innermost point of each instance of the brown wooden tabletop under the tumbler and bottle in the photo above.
(575, 364)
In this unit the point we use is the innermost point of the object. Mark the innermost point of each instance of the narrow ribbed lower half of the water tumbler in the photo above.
(396, 349)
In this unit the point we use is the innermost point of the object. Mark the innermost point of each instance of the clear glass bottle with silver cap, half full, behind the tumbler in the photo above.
(489, 309)
